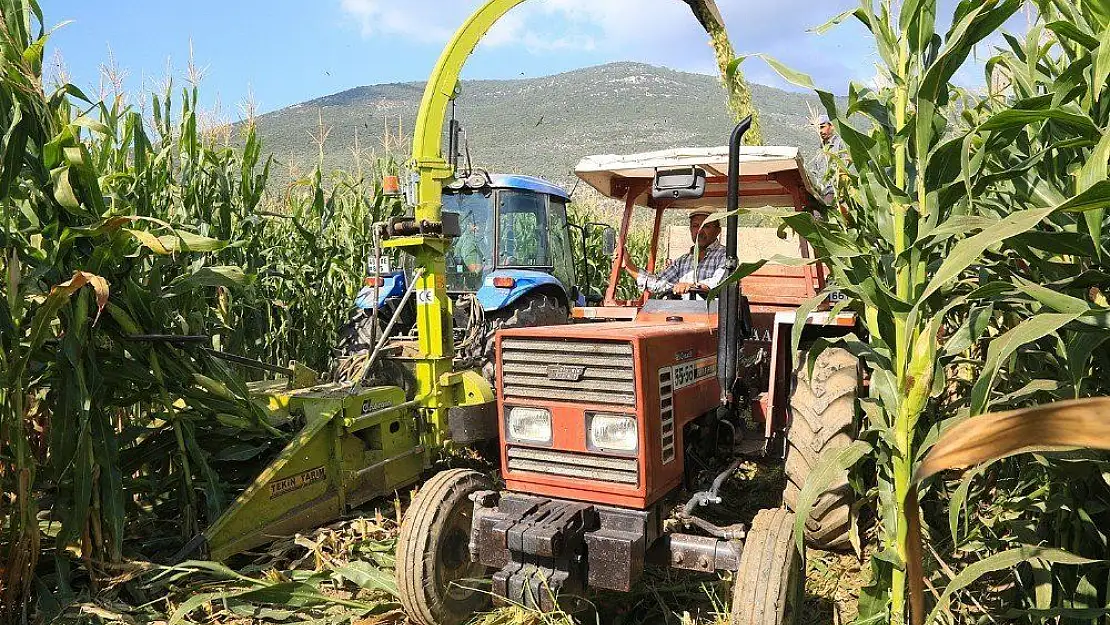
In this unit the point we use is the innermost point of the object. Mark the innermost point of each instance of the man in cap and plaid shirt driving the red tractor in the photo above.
(681, 278)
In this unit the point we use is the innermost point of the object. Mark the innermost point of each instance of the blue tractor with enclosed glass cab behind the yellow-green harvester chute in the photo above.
(511, 267)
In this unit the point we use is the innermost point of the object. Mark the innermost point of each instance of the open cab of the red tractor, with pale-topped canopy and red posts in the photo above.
(654, 183)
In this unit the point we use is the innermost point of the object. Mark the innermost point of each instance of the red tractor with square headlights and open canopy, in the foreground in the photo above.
(601, 422)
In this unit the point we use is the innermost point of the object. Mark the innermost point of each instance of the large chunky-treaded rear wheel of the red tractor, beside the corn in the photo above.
(823, 424)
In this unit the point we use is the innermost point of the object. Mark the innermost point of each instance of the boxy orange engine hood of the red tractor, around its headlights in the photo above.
(662, 374)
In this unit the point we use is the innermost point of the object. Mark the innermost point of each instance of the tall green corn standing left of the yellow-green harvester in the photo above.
(119, 226)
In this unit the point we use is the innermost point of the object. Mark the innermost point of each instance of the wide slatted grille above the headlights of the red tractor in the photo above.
(571, 371)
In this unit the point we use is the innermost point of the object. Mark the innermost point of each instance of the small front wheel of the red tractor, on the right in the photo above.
(769, 587)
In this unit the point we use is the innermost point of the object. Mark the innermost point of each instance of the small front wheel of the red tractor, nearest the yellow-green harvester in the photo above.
(436, 574)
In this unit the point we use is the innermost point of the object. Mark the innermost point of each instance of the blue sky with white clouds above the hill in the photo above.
(286, 53)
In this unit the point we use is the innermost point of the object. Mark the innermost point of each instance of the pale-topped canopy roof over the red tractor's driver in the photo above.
(770, 176)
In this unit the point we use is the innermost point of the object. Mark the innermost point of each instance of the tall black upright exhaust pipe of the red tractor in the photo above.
(729, 308)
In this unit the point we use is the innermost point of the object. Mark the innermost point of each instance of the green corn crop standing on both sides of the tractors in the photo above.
(971, 245)
